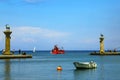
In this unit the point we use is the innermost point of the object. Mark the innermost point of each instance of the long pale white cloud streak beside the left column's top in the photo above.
(35, 31)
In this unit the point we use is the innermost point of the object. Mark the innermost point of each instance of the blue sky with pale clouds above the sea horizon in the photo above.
(71, 24)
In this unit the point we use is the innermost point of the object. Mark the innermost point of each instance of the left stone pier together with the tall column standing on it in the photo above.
(6, 54)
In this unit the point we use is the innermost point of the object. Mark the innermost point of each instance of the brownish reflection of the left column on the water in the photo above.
(7, 70)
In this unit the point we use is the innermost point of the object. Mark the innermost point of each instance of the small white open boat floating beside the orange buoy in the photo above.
(85, 65)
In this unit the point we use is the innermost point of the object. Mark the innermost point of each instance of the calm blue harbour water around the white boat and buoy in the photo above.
(43, 67)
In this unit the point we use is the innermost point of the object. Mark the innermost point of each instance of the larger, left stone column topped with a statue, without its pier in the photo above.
(7, 33)
